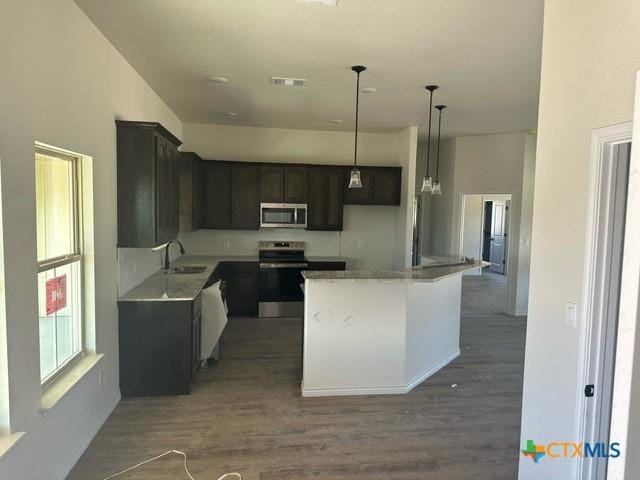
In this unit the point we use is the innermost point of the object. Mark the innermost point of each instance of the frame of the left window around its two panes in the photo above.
(76, 256)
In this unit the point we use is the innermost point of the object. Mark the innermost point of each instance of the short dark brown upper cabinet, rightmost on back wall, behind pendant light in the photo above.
(380, 186)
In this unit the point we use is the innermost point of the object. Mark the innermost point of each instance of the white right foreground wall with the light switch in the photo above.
(590, 54)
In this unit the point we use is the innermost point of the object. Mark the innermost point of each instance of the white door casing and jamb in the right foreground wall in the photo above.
(602, 296)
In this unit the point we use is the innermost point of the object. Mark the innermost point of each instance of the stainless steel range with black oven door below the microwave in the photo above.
(280, 276)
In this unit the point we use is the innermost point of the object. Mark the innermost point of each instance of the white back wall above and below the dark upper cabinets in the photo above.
(374, 237)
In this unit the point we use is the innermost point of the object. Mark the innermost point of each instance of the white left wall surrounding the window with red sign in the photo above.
(63, 84)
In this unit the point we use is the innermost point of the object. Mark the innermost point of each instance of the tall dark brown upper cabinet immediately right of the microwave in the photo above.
(325, 198)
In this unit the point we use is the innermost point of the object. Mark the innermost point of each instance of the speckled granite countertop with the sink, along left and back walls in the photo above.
(176, 287)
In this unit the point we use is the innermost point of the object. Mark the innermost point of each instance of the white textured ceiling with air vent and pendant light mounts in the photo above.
(484, 54)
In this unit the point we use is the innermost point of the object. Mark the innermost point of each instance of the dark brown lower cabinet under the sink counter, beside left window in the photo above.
(159, 346)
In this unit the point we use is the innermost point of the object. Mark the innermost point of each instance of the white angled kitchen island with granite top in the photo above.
(368, 332)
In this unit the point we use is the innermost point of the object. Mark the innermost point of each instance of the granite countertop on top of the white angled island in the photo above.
(427, 273)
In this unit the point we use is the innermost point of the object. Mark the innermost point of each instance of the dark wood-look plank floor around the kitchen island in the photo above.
(246, 414)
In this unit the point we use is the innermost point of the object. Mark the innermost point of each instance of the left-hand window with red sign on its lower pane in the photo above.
(59, 261)
